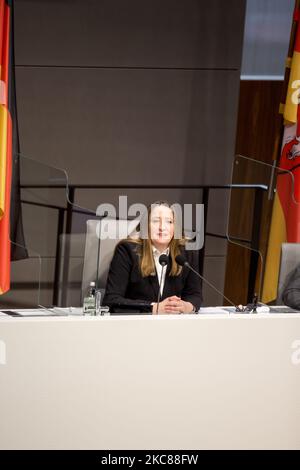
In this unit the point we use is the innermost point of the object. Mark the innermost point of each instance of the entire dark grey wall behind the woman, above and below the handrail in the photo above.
(132, 92)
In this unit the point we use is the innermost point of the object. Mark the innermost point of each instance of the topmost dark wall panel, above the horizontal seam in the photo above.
(131, 33)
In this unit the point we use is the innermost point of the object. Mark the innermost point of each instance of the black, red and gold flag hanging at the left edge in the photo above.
(9, 147)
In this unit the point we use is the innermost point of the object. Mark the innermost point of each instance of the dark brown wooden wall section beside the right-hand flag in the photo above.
(259, 125)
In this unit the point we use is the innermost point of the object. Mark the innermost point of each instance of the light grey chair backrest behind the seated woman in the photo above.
(100, 242)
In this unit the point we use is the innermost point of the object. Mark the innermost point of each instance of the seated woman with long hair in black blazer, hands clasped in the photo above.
(135, 271)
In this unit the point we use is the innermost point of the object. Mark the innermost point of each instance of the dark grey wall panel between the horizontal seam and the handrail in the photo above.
(129, 126)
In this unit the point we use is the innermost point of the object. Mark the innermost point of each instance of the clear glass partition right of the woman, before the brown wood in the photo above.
(254, 186)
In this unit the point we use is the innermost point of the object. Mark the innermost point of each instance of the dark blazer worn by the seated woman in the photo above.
(125, 284)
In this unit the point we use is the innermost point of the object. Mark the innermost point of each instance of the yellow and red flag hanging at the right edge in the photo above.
(285, 224)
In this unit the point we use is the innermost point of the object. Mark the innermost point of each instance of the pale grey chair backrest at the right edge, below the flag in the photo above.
(290, 258)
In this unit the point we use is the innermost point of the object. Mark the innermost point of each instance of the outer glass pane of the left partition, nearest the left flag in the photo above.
(43, 200)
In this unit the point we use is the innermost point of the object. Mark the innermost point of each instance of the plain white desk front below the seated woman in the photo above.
(150, 382)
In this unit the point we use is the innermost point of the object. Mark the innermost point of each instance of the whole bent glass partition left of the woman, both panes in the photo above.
(55, 228)
